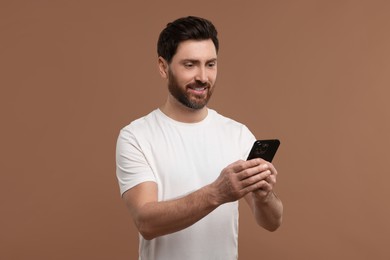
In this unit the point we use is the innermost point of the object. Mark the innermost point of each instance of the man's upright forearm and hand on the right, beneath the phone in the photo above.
(265, 205)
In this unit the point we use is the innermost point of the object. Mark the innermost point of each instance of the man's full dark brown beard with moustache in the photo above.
(190, 100)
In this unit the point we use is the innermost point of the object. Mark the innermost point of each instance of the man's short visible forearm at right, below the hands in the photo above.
(269, 212)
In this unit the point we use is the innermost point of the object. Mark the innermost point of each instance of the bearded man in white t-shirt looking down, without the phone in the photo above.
(182, 168)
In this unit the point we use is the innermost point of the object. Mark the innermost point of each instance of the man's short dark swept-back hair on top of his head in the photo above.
(182, 29)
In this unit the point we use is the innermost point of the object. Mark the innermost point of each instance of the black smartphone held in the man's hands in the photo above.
(265, 149)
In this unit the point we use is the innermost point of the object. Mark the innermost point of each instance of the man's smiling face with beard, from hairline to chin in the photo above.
(192, 73)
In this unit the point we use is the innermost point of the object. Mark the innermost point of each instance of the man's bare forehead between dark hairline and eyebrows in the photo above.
(196, 50)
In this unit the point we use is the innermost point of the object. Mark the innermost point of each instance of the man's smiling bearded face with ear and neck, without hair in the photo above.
(191, 78)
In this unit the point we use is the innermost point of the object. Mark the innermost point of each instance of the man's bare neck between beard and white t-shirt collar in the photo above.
(181, 113)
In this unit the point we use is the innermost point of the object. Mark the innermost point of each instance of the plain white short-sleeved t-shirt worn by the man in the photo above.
(181, 158)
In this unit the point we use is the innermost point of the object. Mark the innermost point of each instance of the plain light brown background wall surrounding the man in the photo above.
(313, 73)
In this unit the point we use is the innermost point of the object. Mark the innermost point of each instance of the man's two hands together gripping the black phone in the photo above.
(243, 177)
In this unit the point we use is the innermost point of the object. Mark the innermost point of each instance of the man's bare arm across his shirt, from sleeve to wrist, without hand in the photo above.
(153, 218)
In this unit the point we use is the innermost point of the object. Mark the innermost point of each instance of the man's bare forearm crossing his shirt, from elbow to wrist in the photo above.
(160, 218)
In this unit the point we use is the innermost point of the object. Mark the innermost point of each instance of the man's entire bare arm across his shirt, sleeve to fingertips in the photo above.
(156, 218)
